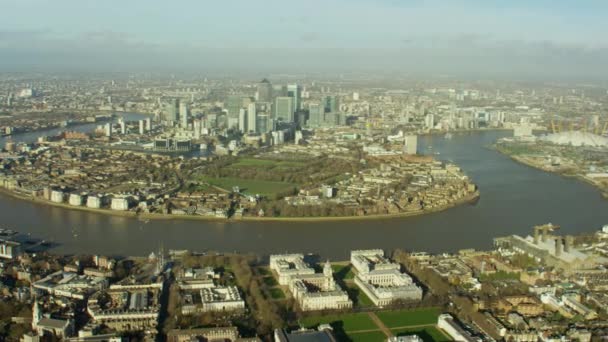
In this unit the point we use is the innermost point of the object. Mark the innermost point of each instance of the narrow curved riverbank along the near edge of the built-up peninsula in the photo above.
(470, 198)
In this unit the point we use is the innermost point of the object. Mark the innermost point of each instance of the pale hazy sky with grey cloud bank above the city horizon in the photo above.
(541, 38)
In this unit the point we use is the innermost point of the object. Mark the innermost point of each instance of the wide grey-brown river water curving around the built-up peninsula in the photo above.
(514, 198)
